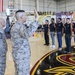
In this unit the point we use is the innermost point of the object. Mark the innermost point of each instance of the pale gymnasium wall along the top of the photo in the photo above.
(44, 5)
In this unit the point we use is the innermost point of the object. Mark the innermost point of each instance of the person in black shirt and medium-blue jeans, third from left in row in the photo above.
(60, 30)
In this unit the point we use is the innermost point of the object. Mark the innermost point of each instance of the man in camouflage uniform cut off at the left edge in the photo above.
(3, 48)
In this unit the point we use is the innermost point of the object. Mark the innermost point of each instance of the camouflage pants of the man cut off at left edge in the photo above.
(2, 63)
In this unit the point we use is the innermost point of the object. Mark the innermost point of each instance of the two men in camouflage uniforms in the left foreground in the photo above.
(20, 44)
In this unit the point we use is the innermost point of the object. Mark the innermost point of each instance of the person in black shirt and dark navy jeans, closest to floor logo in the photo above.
(68, 34)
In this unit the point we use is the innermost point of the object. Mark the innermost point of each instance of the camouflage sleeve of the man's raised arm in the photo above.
(32, 28)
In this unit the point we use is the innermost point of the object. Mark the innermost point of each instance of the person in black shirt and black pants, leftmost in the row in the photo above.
(46, 34)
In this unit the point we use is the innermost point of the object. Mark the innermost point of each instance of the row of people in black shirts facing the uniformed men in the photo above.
(60, 29)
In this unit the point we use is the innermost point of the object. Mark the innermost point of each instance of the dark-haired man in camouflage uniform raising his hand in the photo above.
(20, 44)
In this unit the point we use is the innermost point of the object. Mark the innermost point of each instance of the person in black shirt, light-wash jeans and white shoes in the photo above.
(52, 32)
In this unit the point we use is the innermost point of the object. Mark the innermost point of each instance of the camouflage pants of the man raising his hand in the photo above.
(22, 62)
